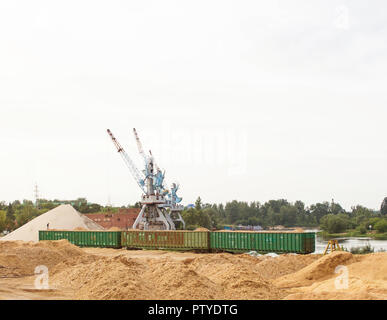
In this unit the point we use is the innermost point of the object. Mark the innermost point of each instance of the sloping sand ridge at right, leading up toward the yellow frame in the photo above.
(319, 270)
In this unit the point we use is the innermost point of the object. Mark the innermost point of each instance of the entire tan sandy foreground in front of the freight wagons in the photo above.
(96, 273)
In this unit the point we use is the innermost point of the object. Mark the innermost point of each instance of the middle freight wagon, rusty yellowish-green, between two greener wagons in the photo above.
(174, 240)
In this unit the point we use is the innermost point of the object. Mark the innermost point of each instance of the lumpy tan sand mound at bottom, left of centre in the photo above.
(127, 278)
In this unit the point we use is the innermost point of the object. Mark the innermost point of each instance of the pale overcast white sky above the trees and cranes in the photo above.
(247, 100)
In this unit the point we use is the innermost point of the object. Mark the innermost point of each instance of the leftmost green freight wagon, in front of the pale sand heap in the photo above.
(104, 239)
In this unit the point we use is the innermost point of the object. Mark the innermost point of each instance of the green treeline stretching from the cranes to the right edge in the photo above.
(329, 216)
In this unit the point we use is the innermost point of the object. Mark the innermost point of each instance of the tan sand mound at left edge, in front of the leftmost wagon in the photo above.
(18, 258)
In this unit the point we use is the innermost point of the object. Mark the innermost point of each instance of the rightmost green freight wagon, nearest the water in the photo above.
(263, 242)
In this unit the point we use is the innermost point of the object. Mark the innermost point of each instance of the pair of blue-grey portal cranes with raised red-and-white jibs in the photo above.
(160, 207)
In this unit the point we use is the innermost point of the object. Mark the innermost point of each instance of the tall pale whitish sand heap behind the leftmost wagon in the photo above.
(64, 217)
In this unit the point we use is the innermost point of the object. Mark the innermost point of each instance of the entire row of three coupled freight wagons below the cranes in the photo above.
(189, 240)
